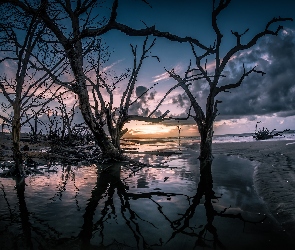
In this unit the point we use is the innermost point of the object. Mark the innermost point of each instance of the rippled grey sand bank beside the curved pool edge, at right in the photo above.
(274, 175)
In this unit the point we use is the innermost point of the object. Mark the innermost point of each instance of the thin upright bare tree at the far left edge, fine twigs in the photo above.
(27, 90)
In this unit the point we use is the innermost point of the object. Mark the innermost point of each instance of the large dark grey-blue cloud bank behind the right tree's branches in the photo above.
(259, 95)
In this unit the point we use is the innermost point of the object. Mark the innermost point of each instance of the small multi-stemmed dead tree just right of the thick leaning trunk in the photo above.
(116, 115)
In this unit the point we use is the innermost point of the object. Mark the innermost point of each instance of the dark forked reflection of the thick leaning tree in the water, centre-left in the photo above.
(107, 182)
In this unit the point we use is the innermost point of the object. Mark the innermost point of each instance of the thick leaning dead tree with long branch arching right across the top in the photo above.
(73, 42)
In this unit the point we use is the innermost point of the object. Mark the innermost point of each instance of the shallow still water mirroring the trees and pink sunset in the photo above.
(125, 207)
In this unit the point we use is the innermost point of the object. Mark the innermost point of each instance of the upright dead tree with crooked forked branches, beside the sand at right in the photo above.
(205, 118)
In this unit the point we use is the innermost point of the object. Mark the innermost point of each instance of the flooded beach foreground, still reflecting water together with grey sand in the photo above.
(137, 206)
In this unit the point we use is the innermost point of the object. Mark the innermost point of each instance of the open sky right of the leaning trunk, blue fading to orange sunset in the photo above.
(269, 98)
